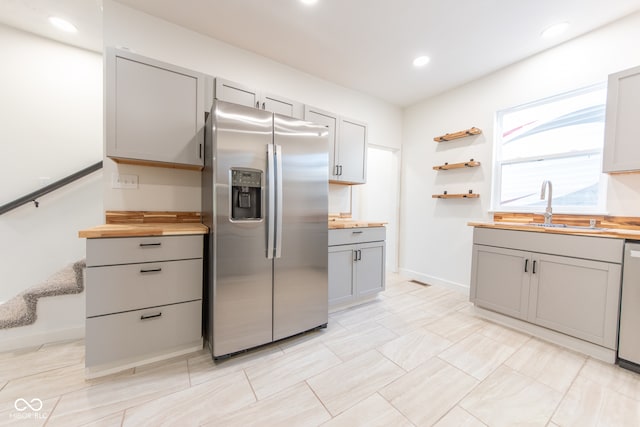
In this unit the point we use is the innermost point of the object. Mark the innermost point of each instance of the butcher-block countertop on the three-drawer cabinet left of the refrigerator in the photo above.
(140, 230)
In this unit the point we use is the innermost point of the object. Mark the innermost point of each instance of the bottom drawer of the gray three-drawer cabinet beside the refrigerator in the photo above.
(137, 334)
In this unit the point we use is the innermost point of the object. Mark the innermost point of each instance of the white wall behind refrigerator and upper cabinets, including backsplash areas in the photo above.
(161, 40)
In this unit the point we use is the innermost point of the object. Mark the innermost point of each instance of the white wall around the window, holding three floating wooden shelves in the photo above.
(435, 241)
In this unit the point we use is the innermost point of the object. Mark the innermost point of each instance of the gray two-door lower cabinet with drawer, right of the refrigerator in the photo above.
(356, 265)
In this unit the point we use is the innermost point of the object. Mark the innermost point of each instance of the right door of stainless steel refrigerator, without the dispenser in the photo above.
(300, 299)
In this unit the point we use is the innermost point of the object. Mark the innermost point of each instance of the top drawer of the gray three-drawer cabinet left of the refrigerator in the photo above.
(129, 250)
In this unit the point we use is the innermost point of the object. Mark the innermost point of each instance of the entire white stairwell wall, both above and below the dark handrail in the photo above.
(50, 126)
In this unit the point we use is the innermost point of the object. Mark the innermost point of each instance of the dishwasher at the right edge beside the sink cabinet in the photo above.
(629, 338)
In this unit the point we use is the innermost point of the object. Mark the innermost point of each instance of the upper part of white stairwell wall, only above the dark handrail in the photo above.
(50, 111)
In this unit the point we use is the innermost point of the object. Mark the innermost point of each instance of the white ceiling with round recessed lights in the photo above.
(366, 45)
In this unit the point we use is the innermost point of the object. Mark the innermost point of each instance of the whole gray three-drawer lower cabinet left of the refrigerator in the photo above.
(143, 300)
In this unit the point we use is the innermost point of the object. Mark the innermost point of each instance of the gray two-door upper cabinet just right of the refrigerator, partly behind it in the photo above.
(348, 152)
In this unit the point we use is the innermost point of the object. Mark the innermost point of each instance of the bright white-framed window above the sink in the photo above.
(558, 139)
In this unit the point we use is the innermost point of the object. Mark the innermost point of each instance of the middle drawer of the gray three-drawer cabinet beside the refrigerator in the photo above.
(117, 288)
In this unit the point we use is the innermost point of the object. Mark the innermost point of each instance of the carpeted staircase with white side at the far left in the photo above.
(51, 311)
